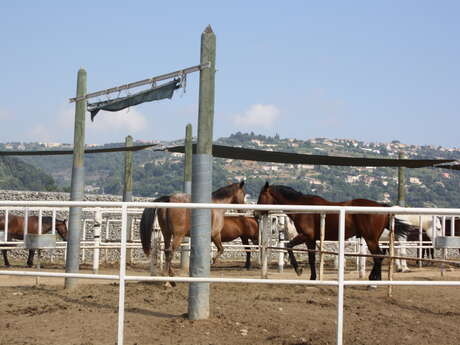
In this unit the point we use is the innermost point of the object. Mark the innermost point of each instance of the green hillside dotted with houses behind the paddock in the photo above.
(158, 173)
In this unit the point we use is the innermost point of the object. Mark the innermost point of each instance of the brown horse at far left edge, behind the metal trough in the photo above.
(16, 231)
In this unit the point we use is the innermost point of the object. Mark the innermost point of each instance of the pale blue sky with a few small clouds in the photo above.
(366, 70)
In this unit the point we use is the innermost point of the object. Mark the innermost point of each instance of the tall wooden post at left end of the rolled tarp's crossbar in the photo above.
(77, 184)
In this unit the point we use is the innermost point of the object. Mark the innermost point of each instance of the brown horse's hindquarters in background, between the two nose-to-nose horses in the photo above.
(246, 228)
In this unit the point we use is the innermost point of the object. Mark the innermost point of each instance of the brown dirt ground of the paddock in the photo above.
(240, 314)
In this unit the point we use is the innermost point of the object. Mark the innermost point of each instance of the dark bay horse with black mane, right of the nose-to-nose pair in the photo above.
(368, 226)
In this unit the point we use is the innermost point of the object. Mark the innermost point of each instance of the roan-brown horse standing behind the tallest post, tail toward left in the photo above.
(175, 222)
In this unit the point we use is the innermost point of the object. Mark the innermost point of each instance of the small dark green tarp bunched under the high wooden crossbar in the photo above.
(153, 94)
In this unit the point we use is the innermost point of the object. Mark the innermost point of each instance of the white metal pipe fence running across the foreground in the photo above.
(340, 282)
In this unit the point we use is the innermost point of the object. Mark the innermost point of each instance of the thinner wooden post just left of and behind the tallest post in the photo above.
(185, 248)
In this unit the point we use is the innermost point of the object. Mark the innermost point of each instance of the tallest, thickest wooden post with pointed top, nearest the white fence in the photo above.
(198, 300)
